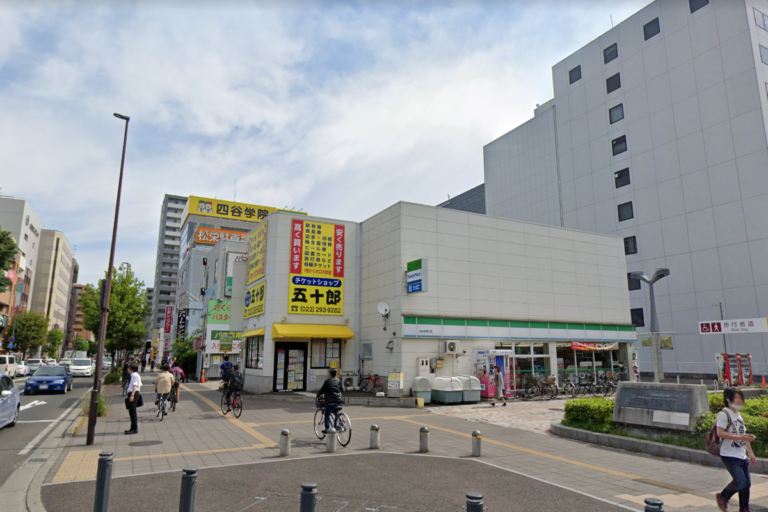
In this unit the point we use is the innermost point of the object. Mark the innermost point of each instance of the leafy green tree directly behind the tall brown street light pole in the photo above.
(127, 310)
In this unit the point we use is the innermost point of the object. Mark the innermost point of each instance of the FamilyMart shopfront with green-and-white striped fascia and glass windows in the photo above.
(525, 348)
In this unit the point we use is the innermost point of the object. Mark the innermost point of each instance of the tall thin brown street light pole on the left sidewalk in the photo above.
(106, 290)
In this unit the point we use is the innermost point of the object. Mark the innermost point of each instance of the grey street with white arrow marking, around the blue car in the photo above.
(40, 412)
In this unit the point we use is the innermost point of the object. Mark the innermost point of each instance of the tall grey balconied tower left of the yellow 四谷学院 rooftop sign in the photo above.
(167, 263)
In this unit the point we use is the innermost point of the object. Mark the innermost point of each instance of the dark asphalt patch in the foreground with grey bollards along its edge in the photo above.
(362, 482)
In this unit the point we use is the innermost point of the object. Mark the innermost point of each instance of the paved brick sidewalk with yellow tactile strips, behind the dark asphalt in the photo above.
(198, 435)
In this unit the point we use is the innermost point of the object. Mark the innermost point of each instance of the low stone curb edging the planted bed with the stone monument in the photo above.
(653, 448)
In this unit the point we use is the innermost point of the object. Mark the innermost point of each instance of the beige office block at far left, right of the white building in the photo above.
(53, 279)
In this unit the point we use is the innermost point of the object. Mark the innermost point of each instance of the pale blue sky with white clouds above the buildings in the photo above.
(339, 108)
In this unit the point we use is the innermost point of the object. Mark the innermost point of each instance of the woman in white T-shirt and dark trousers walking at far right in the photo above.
(735, 450)
